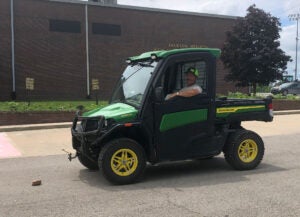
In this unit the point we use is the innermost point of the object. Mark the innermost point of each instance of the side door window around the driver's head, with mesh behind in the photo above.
(200, 65)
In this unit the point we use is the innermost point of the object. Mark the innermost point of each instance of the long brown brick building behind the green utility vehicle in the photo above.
(50, 44)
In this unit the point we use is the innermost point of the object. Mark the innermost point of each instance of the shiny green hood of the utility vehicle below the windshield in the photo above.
(120, 112)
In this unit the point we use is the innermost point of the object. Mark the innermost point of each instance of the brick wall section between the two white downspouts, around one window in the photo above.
(56, 60)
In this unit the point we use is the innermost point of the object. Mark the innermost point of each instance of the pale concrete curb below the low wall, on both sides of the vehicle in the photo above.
(11, 128)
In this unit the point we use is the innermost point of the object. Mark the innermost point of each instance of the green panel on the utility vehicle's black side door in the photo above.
(177, 119)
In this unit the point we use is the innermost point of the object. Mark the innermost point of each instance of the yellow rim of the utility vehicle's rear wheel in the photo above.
(247, 150)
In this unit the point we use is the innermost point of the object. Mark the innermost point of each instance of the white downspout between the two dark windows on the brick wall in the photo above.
(87, 51)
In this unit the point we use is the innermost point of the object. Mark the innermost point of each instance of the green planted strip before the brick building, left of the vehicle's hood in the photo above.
(22, 106)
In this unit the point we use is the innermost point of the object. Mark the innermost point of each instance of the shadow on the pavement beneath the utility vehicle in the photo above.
(181, 174)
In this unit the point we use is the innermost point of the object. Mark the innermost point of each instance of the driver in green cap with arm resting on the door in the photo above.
(191, 88)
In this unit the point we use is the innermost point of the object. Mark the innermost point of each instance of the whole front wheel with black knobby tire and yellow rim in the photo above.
(122, 161)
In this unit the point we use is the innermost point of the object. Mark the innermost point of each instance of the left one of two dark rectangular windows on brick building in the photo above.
(64, 26)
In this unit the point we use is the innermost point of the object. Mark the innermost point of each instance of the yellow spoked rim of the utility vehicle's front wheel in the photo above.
(124, 162)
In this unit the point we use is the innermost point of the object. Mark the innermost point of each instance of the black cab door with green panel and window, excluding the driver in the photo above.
(184, 126)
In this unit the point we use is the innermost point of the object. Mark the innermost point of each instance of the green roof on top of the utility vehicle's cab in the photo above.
(165, 53)
